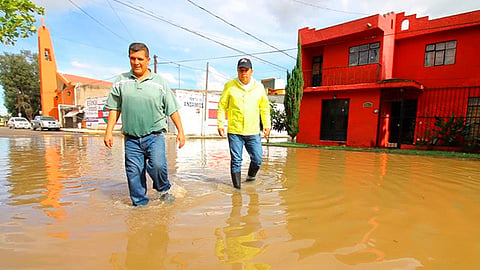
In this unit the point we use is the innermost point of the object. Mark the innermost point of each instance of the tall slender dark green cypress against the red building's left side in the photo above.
(293, 96)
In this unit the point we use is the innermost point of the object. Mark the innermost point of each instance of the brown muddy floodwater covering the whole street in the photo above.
(64, 205)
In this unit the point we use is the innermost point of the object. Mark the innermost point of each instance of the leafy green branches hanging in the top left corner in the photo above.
(17, 19)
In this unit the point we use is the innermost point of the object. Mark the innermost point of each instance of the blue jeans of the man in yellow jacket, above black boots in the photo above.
(252, 144)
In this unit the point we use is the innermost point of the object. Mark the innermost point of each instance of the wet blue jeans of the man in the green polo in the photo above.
(145, 154)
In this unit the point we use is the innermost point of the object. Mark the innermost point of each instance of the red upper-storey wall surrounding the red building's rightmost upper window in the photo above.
(410, 55)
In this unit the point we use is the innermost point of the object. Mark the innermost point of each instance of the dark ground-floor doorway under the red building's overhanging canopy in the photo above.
(402, 125)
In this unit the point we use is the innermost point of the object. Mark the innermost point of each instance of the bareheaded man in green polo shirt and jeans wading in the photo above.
(144, 101)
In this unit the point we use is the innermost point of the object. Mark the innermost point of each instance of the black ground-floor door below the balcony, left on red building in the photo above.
(334, 120)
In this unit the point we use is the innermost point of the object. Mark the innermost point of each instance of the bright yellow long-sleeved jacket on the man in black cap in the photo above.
(244, 105)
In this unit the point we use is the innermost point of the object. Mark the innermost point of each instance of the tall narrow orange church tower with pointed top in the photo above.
(48, 73)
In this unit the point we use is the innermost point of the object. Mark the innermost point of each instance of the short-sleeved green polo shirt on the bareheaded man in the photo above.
(144, 105)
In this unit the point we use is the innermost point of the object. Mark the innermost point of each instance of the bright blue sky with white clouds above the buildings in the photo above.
(91, 37)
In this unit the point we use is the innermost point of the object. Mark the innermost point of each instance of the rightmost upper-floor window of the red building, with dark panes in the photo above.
(441, 53)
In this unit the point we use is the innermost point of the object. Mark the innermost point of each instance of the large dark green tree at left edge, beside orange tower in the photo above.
(20, 79)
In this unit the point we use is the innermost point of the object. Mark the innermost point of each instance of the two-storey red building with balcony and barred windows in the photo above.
(382, 80)
